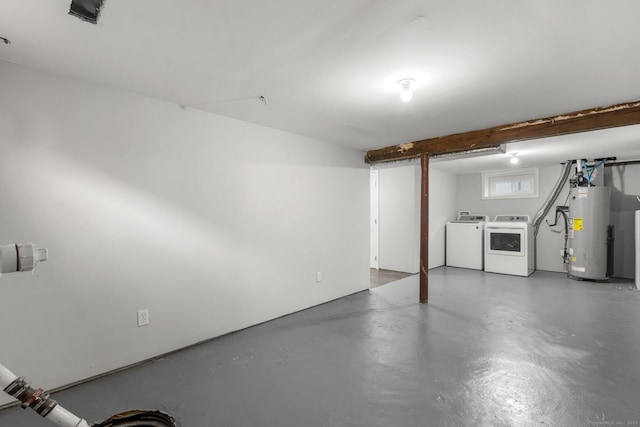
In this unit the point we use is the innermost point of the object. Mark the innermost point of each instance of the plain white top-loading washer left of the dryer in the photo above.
(465, 241)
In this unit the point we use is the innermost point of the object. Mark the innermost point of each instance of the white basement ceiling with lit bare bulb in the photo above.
(328, 69)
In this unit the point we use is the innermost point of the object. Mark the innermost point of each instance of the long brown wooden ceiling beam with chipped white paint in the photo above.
(563, 124)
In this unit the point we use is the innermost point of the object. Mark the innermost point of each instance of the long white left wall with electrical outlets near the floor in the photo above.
(211, 223)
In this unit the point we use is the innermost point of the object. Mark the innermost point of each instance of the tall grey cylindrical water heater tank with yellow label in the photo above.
(589, 210)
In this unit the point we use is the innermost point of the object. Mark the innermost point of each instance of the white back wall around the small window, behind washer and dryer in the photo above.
(549, 243)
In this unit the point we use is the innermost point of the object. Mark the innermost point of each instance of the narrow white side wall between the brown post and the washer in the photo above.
(443, 204)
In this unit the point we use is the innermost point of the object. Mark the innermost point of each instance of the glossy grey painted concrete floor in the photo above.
(488, 350)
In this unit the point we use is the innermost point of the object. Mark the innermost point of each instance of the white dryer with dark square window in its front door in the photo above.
(508, 245)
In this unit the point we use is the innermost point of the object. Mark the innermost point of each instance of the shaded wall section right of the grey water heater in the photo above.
(625, 183)
